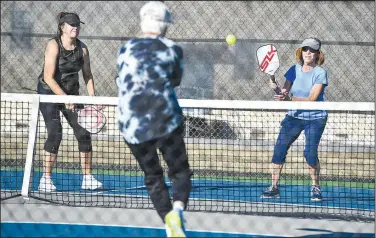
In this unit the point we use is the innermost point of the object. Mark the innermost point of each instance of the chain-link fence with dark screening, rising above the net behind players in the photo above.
(213, 70)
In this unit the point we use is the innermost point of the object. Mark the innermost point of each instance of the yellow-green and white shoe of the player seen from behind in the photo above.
(175, 224)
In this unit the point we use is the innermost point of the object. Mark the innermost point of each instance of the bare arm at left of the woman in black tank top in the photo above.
(50, 57)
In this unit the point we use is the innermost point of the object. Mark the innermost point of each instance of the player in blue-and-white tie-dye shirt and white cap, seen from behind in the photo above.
(149, 115)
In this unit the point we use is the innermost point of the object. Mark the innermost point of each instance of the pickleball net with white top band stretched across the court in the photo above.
(229, 144)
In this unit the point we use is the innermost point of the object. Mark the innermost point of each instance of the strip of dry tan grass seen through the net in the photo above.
(208, 156)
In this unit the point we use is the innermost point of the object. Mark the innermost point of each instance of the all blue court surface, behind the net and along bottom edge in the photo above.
(236, 191)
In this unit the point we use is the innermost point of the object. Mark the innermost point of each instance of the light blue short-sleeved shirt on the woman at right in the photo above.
(302, 83)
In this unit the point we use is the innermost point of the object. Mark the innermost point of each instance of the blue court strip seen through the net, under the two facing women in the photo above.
(237, 191)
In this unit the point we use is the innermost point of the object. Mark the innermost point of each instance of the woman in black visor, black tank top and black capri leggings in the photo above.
(64, 57)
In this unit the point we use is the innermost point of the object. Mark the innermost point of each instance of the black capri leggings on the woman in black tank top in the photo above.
(51, 116)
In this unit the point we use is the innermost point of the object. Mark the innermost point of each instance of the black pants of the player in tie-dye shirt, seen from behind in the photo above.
(174, 153)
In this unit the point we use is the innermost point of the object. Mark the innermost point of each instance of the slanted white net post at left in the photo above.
(30, 147)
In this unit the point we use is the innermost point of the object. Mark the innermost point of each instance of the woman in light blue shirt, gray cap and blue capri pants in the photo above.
(306, 81)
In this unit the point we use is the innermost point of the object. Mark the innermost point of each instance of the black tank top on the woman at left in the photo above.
(68, 64)
